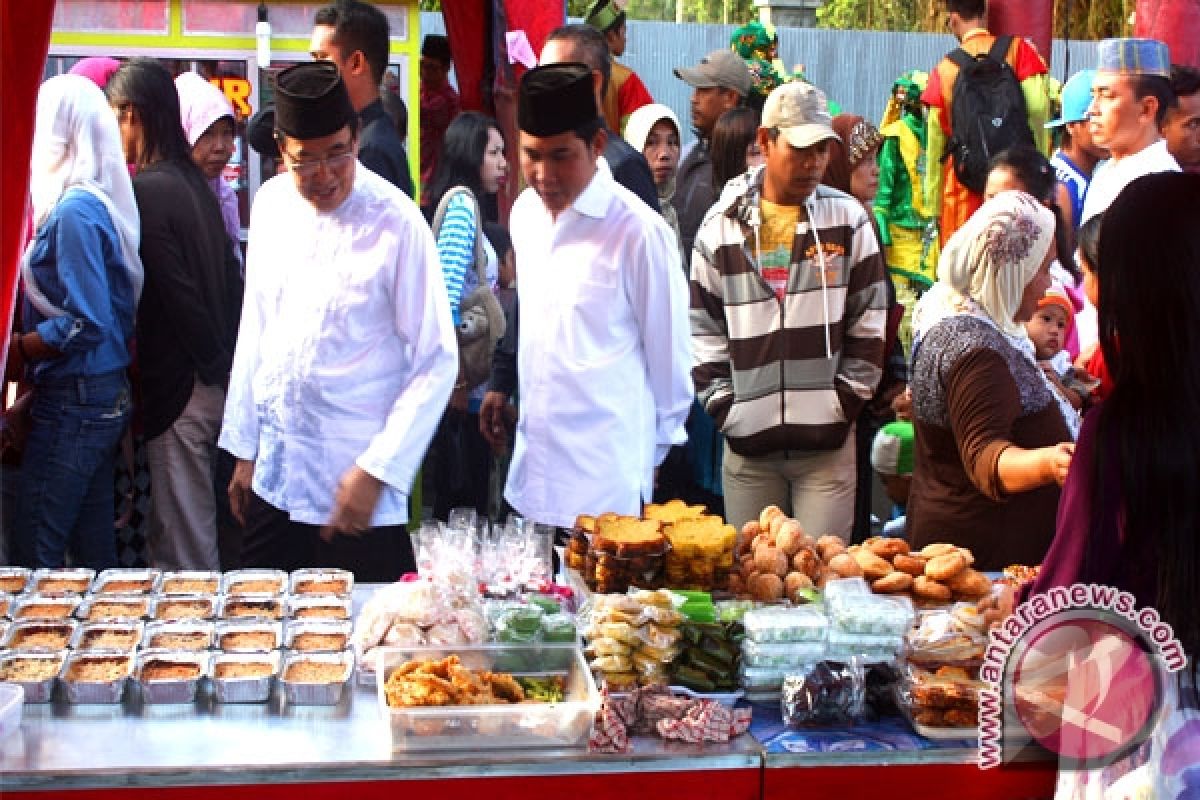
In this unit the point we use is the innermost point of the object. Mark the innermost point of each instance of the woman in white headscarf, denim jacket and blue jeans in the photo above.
(82, 279)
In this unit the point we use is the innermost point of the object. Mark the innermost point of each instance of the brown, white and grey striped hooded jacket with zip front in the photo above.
(790, 375)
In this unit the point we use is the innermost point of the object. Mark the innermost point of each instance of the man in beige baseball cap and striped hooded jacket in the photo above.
(788, 316)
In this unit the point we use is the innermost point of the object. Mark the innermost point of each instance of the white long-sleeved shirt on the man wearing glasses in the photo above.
(346, 353)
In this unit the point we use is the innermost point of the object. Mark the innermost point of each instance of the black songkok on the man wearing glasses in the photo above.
(311, 101)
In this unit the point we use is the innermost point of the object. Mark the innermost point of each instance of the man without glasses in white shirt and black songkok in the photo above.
(604, 353)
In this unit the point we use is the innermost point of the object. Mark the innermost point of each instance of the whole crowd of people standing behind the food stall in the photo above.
(760, 318)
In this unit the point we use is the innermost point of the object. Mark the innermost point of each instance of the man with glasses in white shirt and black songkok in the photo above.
(346, 353)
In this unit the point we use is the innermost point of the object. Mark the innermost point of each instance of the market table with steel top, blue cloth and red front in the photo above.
(280, 750)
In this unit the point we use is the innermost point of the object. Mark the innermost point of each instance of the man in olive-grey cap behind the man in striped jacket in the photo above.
(721, 82)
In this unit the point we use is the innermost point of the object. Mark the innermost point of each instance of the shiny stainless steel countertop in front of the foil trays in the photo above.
(208, 743)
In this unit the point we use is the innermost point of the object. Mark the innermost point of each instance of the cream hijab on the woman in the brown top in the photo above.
(983, 273)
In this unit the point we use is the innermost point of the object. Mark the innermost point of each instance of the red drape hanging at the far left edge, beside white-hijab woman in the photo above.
(25, 41)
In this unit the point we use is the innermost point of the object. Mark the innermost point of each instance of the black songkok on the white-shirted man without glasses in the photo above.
(556, 99)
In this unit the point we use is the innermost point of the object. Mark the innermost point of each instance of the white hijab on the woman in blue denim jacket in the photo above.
(77, 146)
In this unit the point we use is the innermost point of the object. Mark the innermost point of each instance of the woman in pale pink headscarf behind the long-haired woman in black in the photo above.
(211, 129)
